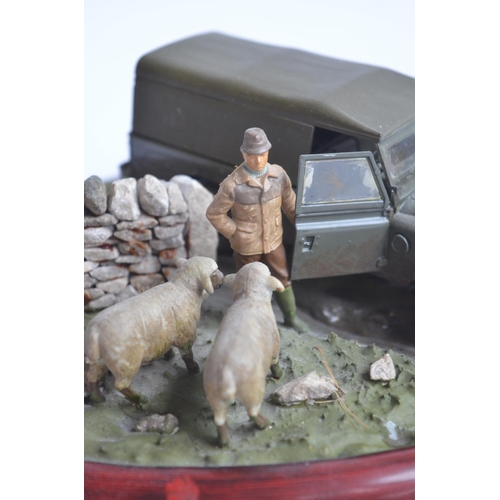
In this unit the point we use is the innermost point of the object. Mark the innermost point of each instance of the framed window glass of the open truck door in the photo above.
(339, 180)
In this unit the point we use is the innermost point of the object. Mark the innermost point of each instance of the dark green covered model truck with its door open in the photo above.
(345, 133)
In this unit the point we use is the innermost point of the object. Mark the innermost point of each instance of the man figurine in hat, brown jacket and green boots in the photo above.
(256, 193)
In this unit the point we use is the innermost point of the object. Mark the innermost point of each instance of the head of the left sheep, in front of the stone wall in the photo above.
(199, 272)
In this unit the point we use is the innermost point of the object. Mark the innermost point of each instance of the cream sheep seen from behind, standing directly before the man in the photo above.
(247, 344)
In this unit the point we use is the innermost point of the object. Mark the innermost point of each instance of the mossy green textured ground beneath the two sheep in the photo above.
(299, 433)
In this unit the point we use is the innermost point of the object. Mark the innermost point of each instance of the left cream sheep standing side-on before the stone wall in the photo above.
(142, 328)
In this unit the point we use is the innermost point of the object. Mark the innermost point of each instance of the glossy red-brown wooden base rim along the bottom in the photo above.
(385, 475)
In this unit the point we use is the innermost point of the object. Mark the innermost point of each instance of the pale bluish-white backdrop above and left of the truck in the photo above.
(118, 32)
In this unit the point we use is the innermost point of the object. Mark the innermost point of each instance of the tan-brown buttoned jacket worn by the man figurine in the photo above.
(255, 223)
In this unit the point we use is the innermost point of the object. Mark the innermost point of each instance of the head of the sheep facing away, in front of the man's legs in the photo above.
(253, 280)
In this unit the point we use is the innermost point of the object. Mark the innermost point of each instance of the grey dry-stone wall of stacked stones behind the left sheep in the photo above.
(134, 233)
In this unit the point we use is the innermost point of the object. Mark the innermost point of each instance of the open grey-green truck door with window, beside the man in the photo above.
(342, 216)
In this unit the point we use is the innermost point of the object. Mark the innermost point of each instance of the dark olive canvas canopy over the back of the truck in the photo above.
(194, 99)
